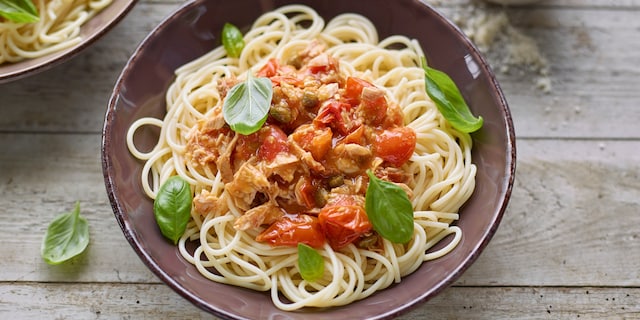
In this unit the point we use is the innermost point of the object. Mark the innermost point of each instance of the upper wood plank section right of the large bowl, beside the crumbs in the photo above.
(592, 66)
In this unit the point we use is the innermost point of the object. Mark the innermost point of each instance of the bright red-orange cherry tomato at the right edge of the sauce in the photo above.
(395, 145)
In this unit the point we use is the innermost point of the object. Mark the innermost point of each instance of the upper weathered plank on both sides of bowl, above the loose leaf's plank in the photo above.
(593, 75)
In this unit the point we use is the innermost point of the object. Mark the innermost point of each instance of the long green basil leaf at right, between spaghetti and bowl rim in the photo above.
(444, 92)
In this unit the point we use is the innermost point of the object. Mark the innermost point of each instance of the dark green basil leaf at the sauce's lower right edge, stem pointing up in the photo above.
(389, 210)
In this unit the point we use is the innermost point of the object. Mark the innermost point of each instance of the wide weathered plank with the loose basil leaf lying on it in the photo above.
(567, 224)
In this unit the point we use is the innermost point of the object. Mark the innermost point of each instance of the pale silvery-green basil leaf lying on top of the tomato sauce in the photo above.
(246, 107)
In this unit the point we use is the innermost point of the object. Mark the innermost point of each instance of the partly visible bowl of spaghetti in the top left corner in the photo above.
(64, 30)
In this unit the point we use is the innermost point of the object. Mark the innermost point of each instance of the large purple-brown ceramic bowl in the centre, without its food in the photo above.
(192, 31)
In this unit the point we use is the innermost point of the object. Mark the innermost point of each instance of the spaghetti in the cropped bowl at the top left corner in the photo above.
(57, 29)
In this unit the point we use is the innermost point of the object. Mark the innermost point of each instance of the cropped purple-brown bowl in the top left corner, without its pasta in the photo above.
(91, 31)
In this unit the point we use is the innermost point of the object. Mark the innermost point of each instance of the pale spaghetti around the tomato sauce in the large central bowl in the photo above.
(440, 174)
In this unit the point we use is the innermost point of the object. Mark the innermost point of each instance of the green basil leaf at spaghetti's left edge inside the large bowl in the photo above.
(172, 207)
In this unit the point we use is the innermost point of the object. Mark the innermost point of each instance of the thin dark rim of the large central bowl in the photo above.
(507, 182)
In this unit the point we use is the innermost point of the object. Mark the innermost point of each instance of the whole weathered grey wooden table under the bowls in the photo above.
(568, 246)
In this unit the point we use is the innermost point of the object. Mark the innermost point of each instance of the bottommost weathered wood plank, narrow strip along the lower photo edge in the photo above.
(157, 301)
